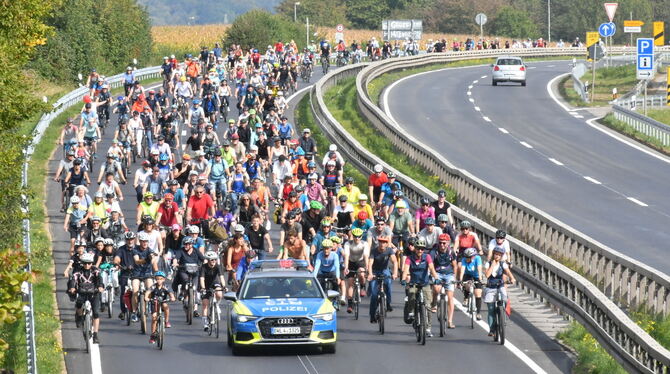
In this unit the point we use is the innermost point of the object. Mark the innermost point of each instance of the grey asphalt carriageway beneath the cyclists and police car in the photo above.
(360, 349)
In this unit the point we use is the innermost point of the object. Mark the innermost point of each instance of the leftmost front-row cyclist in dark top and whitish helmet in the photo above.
(86, 284)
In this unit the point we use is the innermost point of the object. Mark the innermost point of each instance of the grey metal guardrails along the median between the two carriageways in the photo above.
(546, 277)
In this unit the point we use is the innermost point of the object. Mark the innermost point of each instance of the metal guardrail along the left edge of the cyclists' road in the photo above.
(71, 98)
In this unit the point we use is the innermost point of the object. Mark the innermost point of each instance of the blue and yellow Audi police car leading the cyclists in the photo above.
(281, 303)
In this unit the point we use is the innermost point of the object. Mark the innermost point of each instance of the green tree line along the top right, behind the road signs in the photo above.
(507, 18)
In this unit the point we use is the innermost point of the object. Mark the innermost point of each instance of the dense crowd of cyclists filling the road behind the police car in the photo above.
(203, 208)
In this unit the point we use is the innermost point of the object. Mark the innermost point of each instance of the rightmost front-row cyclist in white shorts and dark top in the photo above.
(495, 268)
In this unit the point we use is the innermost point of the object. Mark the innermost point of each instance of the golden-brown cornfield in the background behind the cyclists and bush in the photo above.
(182, 37)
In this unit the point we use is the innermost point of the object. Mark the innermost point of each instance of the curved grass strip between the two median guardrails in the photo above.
(341, 101)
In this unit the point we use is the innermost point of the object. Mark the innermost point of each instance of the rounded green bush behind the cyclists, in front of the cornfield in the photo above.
(258, 28)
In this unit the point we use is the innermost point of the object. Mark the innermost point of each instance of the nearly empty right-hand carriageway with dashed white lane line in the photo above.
(522, 141)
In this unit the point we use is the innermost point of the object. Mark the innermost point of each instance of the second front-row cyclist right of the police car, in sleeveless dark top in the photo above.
(416, 270)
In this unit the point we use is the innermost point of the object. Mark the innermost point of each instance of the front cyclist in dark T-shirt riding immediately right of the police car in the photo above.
(379, 266)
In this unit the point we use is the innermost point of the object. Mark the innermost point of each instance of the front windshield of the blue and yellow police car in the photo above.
(280, 287)
